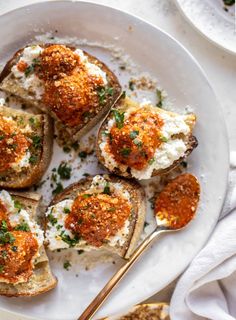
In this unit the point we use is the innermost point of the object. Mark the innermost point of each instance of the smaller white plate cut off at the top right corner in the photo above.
(213, 19)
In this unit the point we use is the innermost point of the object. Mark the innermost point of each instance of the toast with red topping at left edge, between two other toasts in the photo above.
(35, 134)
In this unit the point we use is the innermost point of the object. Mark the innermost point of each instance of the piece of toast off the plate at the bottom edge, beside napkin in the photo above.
(145, 311)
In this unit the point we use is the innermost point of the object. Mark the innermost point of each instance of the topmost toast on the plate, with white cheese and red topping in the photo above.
(71, 85)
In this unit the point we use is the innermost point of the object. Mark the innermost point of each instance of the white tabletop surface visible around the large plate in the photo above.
(219, 66)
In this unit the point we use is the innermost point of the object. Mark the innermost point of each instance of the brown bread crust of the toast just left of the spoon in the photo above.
(138, 209)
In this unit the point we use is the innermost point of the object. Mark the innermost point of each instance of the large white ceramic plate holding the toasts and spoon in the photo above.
(157, 53)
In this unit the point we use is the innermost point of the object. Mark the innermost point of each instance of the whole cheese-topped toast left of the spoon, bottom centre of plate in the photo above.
(125, 238)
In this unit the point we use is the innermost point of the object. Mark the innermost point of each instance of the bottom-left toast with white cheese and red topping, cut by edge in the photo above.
(24, 266)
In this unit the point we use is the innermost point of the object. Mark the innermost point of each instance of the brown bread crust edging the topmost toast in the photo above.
(9, 84)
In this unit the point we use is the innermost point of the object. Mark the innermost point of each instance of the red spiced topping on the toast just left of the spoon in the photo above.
(97, 217)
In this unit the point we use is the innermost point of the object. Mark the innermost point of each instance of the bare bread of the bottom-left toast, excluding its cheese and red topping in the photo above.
(42, 279)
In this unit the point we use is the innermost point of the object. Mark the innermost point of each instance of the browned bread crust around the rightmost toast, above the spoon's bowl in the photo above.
(190, 141)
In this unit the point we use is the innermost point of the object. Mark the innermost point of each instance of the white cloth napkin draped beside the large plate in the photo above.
(207, 289)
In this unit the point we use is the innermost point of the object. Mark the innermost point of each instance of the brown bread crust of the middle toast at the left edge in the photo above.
(35, 172)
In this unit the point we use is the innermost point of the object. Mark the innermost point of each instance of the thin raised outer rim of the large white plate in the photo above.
(194, 61)
